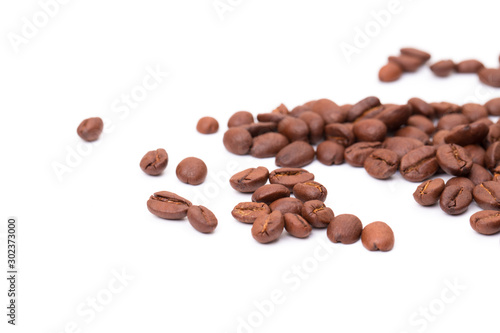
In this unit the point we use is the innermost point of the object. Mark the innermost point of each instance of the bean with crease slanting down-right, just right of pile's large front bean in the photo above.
(454, 160)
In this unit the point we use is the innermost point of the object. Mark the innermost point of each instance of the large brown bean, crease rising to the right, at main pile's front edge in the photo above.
(419, 164)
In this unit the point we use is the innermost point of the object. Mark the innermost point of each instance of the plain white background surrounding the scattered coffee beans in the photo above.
(76, 232)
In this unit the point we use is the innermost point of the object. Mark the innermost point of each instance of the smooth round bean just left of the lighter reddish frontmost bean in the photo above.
(345, 229)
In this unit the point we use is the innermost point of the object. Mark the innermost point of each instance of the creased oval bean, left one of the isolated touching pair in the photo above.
(168, 205)
